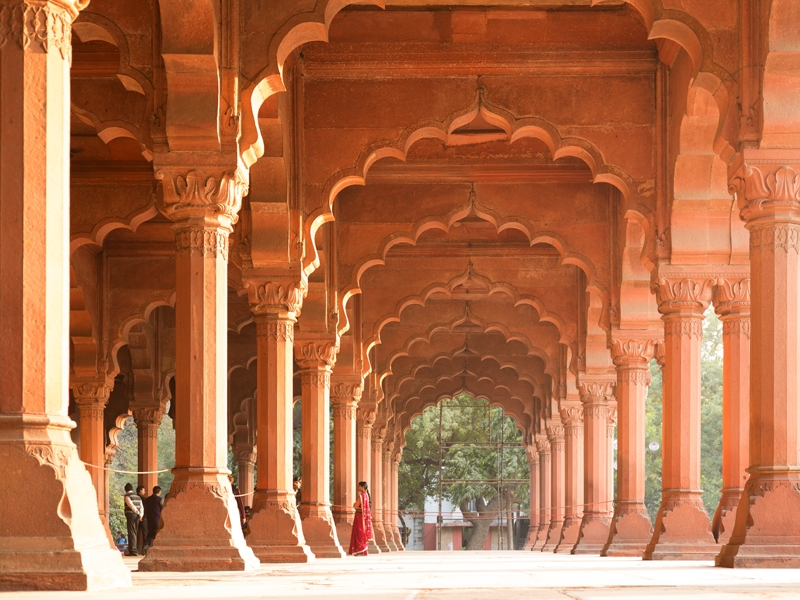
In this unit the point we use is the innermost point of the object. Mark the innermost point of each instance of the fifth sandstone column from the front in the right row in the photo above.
(572, 418)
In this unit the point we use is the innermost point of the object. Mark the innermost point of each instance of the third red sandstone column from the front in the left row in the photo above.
(276, 532)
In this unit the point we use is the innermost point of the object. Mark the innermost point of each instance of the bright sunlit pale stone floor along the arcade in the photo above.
(459, 576)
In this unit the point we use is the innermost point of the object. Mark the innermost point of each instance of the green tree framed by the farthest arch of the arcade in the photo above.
(470, 455)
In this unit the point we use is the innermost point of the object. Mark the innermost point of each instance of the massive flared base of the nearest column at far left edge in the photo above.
(63, 546)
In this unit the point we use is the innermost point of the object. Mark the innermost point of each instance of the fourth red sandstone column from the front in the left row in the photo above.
(316, 359)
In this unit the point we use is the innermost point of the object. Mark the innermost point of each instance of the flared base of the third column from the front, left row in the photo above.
(276, 533)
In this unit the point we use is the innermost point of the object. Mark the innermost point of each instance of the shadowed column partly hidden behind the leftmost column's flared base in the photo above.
(91, 398)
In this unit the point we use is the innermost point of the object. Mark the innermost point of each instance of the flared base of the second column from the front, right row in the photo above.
(682, 530)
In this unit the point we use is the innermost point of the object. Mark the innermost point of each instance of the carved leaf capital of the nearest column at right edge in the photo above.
(767, 185)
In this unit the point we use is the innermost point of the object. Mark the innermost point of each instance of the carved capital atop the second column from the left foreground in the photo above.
(211, 192)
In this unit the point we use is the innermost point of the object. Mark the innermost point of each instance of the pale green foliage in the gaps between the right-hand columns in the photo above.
(711, 422)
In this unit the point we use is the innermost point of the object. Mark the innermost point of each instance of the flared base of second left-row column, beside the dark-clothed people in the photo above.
(200, 529)
